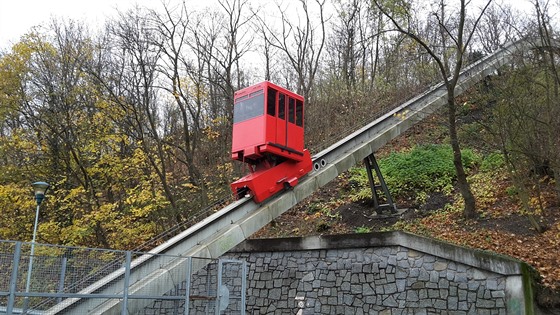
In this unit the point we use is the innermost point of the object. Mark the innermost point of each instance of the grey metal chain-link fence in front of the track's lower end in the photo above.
(72, 280)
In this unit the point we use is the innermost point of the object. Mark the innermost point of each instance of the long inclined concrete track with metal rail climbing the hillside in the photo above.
(218, 233)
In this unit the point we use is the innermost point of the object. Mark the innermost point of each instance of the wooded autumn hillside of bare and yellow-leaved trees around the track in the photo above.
(132, 125)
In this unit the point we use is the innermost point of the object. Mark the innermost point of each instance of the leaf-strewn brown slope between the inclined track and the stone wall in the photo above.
(501, 226)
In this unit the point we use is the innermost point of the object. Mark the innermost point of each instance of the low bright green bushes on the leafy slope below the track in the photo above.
(427, 168)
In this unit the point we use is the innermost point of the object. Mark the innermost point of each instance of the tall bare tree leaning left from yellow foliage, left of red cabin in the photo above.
(131, 84)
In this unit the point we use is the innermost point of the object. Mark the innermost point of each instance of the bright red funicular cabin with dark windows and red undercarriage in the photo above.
(268, 136)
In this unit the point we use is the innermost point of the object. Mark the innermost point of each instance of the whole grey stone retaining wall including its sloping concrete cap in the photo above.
(379, 273)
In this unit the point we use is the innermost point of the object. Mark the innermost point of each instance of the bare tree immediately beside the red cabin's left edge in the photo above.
(220, 39)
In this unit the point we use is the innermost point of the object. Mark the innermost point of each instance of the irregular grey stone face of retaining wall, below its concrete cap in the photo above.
(386, 280)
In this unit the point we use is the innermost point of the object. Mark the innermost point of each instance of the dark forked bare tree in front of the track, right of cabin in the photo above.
(455, 28)
